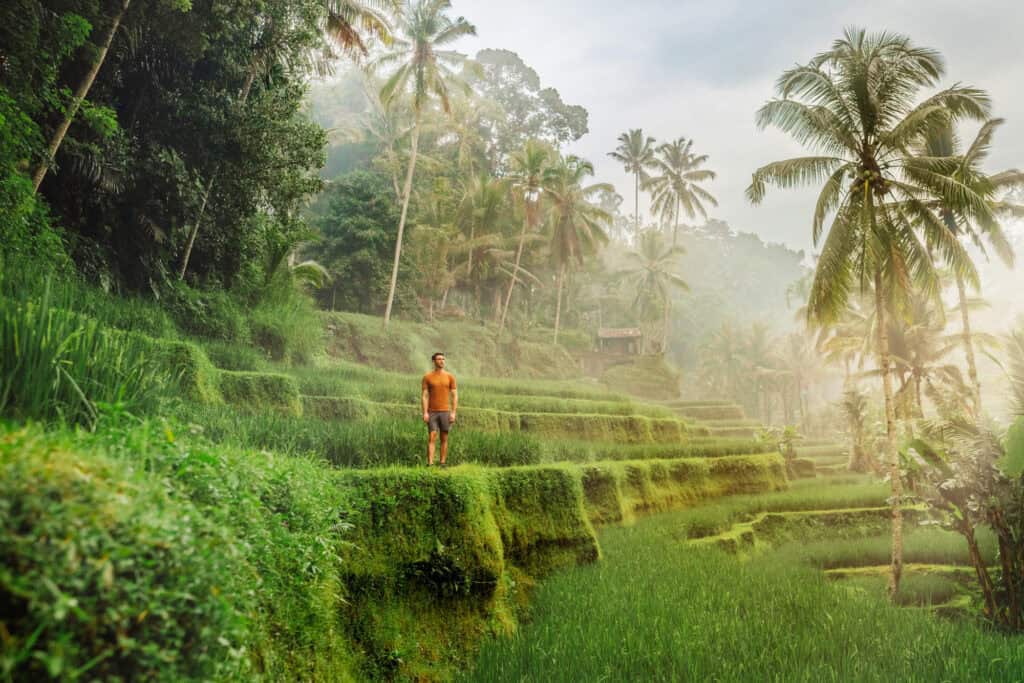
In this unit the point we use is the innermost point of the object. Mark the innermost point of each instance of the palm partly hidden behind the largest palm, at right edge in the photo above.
(943, 143)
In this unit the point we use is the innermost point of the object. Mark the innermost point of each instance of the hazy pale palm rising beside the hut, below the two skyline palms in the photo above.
(651, 274)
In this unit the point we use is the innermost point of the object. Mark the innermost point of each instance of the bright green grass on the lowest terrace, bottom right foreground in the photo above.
(658, 610)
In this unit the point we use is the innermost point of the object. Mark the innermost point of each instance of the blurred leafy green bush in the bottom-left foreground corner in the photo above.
(96, 561)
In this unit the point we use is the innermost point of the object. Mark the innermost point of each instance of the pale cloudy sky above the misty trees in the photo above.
(701, 70)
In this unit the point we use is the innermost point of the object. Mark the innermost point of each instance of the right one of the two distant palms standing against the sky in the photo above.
(675, 187)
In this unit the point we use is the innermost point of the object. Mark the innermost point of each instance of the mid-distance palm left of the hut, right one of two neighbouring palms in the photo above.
(576, 224)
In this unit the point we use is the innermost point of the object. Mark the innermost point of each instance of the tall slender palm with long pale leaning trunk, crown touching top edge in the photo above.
(424, 72)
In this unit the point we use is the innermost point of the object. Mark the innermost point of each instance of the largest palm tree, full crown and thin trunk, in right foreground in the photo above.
(855, 105)
